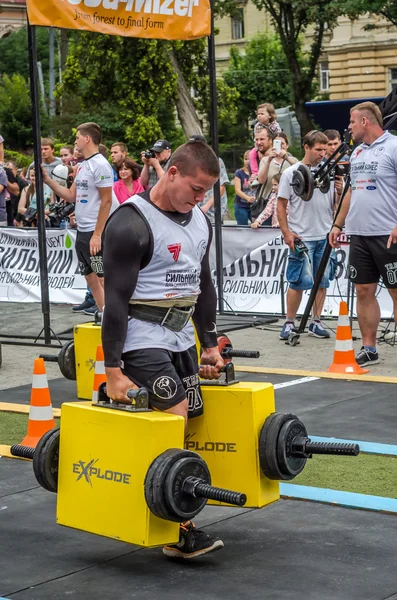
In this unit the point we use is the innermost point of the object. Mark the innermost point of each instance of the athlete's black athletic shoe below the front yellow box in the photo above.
(192, 543)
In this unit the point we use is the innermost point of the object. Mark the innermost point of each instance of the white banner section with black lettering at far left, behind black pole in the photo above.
(20, 266)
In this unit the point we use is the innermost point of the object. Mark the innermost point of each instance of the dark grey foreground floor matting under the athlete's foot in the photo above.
(289, 550)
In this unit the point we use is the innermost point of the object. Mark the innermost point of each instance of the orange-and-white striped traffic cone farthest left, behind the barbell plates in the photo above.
(41, 418)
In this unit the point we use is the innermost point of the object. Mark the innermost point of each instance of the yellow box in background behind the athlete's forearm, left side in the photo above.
(86, 339)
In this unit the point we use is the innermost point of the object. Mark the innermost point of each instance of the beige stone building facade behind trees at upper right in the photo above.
(355, 64)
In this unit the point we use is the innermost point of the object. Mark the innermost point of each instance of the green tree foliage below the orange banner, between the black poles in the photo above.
(136, 78)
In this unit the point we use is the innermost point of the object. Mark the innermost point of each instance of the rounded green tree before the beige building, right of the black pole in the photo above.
(260, 75)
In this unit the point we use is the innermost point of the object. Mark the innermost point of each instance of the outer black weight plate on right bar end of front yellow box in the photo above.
(182, 506)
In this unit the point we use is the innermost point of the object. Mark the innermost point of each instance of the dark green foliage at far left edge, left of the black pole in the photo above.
(16, 112)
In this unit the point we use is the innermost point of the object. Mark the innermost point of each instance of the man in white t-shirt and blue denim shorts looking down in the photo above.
(305, 232)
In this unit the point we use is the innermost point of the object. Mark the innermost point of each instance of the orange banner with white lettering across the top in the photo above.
(159, 19)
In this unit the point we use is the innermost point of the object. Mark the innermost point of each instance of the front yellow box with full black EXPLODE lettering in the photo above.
(103, 460)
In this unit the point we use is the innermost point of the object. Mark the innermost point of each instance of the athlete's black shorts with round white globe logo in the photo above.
(169, 377)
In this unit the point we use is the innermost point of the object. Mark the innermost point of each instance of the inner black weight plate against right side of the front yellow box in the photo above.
(155, 480)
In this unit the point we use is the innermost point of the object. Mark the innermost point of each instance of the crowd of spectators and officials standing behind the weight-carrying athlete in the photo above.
(264, 196)
